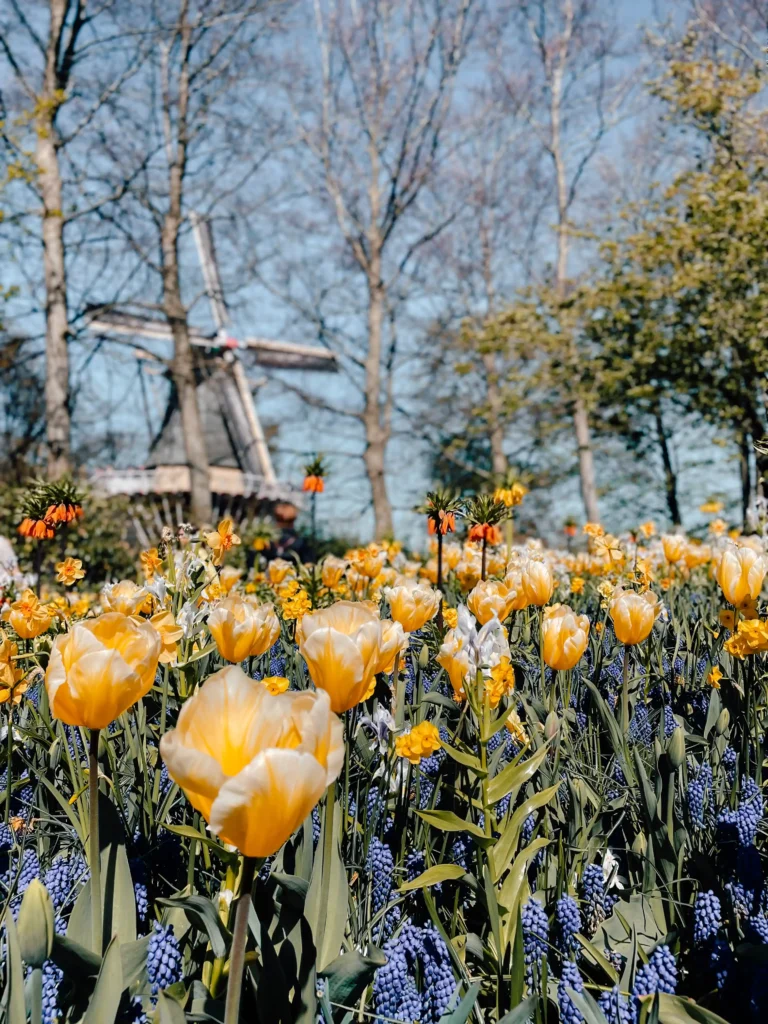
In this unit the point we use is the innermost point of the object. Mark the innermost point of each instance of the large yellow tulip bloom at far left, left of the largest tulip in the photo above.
(101, 668)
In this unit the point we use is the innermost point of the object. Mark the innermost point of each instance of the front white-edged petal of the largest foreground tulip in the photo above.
(264, 805)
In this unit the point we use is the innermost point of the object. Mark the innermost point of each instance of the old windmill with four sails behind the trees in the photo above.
(241, 467)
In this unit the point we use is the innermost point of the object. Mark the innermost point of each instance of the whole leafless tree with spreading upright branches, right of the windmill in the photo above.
(370, 95)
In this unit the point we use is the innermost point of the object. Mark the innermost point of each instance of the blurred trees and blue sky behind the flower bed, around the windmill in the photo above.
(533, 233)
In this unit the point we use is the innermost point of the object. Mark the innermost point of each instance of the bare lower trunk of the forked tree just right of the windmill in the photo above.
(377, 435)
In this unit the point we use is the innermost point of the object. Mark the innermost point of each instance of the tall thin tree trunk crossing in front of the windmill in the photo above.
(184, 362)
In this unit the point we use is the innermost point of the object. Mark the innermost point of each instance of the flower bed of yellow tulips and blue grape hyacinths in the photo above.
(494, 783)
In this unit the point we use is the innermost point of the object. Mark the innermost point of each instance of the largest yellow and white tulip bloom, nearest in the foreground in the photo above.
(254, 764)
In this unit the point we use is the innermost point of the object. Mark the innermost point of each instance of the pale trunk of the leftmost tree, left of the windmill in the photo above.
(57, 328)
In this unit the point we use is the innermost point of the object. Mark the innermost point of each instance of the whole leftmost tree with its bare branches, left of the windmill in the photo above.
(51, 50)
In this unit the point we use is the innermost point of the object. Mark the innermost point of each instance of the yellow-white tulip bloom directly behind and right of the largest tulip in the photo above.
(344, 647)
